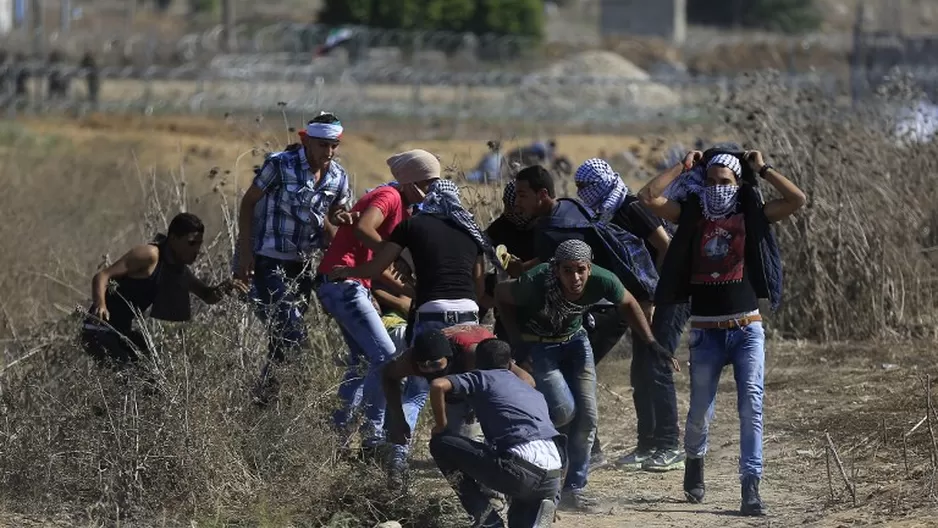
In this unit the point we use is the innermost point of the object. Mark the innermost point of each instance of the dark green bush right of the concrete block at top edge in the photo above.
(789, 16)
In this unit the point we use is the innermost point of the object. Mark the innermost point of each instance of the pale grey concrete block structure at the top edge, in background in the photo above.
(658, 18)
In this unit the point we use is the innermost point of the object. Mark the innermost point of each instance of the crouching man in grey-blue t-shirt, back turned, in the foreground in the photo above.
(521, 457)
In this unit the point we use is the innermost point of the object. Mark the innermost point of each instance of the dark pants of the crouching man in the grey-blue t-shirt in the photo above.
(466, 464)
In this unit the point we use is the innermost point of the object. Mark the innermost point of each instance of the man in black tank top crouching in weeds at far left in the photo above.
(155, 274)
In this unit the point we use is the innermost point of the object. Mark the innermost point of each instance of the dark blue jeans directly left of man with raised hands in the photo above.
(653, 382)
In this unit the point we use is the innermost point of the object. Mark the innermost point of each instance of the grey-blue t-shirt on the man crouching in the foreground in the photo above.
(510, 411)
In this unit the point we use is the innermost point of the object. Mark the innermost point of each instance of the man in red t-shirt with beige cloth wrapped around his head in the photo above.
(349, 301)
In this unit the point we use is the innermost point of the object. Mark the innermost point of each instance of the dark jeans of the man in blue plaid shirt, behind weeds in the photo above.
(282, 290)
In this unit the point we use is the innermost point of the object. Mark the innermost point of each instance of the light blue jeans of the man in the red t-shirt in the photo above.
(349, 303)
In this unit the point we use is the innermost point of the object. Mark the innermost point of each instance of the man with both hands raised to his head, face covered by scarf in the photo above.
(723, 258)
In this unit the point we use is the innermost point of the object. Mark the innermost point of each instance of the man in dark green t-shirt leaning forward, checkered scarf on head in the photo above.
(542, 312)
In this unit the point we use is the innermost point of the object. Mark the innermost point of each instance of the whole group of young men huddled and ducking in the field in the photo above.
(409, 276)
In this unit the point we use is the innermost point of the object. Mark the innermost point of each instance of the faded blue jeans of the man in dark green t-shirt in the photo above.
(566, 376)
